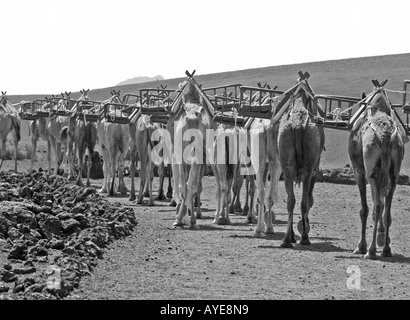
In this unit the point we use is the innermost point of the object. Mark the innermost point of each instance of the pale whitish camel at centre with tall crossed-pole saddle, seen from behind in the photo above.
(189, 157)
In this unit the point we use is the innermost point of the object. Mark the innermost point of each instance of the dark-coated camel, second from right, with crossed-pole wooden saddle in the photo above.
(300, 142)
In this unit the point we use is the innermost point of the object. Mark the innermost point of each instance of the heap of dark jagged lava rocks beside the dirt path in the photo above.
(39, 215)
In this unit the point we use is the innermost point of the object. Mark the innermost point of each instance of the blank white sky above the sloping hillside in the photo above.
(51, 46)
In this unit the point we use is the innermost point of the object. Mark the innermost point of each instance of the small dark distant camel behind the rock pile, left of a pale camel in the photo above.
(81, 135)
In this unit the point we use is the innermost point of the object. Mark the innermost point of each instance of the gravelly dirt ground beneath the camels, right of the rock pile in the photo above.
(226, 262)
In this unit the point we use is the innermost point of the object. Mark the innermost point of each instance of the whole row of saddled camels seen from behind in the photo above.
(289, 143)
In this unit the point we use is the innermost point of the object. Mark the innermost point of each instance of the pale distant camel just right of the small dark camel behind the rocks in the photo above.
(114, 139)
